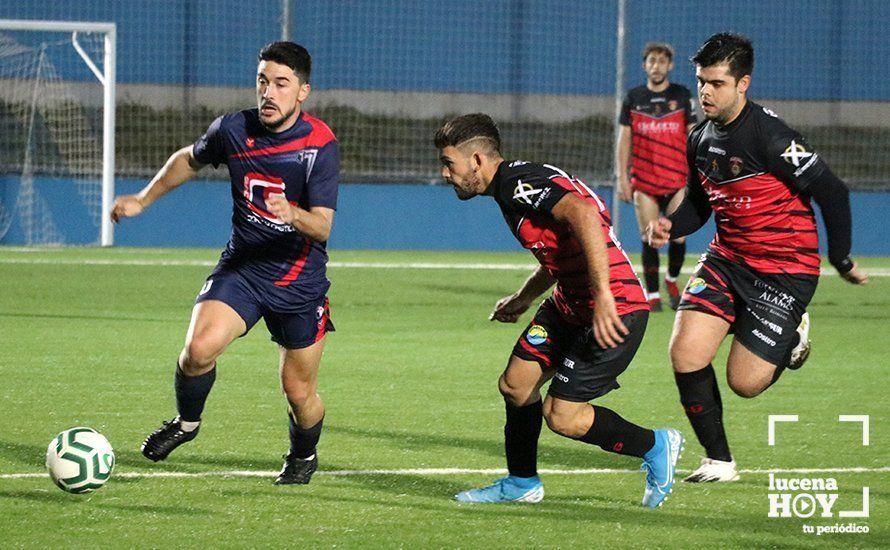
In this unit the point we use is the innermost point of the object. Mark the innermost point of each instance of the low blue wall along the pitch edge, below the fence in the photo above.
(369, 216)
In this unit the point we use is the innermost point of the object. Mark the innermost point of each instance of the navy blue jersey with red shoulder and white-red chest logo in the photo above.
(303, 164)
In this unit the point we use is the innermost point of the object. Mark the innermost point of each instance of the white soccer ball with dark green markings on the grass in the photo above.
(79, 460)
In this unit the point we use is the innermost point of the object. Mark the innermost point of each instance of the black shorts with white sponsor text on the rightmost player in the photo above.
(763, 309)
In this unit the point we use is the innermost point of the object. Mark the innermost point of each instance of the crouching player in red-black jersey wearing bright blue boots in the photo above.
(583, 336)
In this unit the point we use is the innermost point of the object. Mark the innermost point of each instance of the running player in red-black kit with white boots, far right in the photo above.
(757, 175)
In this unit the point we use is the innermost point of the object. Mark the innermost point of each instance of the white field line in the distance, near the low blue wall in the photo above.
(872, 272)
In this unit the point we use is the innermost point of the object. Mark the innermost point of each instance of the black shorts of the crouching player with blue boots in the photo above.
(584, 370)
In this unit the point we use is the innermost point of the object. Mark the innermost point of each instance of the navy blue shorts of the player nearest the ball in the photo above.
(301, 326)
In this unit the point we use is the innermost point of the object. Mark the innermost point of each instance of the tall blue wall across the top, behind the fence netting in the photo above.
(806, 49)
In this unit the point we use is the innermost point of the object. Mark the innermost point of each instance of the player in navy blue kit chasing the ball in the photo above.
(284, 166)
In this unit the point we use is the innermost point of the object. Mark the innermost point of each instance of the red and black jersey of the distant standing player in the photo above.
(658, 122)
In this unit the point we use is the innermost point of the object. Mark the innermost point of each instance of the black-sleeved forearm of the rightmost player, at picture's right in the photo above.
(833, 198)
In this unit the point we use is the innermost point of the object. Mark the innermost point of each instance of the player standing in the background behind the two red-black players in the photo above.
(651, 160)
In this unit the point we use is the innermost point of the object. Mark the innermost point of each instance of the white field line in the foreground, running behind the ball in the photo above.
(451, 471)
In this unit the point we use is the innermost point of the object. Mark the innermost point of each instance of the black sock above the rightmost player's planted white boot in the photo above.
(700, 397)
